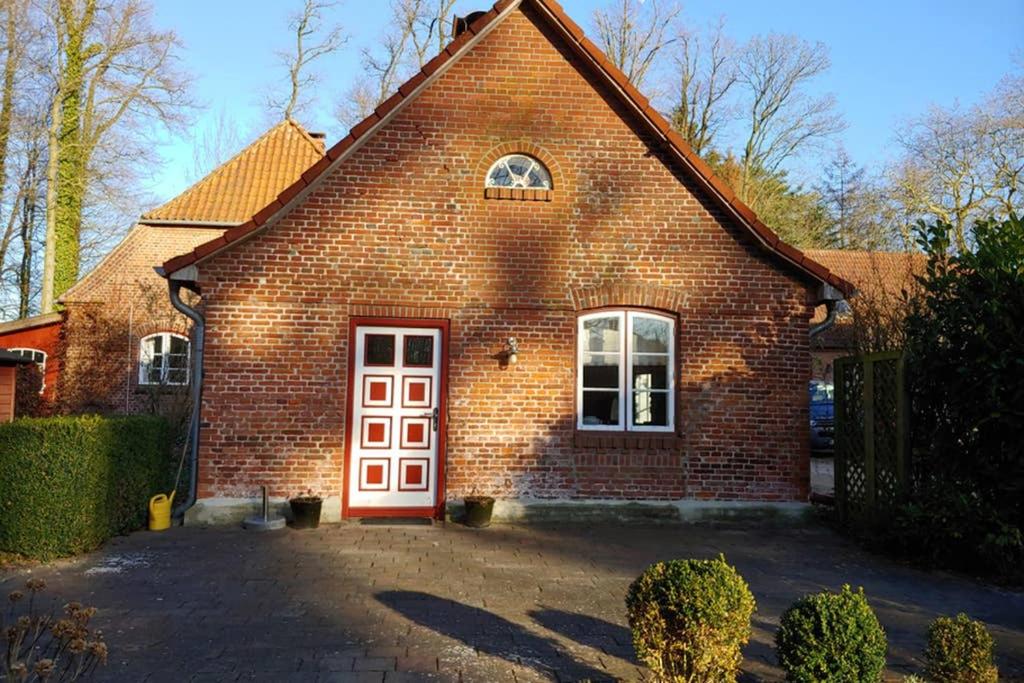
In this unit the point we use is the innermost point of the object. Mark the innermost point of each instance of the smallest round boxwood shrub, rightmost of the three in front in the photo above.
(960, 651)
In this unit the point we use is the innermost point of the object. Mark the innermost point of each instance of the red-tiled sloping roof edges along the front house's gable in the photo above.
(607, 72)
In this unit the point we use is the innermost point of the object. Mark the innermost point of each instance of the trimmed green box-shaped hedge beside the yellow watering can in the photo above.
(69, 484)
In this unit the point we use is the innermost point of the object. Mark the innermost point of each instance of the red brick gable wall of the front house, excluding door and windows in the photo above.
(403, 229)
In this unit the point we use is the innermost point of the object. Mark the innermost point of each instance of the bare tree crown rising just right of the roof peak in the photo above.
(632, 33)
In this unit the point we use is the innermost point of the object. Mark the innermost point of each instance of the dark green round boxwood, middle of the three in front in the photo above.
(832, 637)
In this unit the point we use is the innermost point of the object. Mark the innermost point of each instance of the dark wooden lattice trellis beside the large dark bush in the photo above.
(872, 432)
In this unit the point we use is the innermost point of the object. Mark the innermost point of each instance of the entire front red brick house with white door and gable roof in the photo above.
(513, 279)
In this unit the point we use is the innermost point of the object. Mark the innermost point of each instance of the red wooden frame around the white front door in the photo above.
(438, 511)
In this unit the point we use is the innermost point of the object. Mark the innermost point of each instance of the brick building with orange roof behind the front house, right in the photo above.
(881, 280)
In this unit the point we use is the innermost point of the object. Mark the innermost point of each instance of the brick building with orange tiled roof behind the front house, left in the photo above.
(118, 346)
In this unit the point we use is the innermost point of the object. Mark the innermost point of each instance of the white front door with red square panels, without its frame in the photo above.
(394, 453)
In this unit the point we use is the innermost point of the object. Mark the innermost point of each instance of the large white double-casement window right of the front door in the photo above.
(626, 372)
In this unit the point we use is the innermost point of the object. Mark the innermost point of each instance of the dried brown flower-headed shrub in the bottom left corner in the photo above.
(40, 647)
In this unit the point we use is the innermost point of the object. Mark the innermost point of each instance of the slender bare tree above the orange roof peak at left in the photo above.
(313, 40)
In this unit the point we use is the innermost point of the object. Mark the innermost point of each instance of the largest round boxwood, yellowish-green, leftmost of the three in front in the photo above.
(691, 619)
